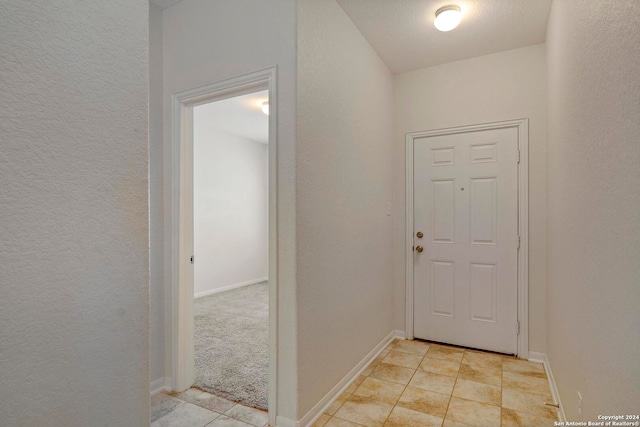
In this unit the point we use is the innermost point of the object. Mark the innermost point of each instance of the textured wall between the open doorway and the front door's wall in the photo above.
(344, 153)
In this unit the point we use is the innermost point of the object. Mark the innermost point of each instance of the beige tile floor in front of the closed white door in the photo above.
(415, 383)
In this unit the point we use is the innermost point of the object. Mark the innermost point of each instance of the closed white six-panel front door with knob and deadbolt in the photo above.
(466, 210)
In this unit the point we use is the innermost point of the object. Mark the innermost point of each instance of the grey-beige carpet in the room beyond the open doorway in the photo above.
(231, 344)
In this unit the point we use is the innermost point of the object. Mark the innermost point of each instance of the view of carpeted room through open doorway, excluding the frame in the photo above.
(231, 247)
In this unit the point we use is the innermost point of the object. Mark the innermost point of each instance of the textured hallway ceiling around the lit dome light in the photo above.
(402, 31)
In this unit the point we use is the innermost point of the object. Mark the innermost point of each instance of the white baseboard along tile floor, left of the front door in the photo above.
(324, 403)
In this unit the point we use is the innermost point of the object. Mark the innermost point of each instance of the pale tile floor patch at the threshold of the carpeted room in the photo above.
(195, 408)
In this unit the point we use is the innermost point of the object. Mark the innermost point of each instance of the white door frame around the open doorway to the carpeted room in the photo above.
(181, 164)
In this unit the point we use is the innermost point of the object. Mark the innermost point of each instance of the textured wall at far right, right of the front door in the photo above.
(594, 205)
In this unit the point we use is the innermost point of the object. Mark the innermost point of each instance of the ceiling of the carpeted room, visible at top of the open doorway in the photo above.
(241, 116)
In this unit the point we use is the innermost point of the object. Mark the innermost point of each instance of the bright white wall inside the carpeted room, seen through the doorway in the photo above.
(230, 209)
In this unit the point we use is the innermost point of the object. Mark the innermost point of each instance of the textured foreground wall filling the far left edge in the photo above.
(74, 245)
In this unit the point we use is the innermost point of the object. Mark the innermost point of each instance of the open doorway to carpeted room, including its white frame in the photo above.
(224, 245)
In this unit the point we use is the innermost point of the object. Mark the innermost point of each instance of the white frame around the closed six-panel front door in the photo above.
(522, 126)
